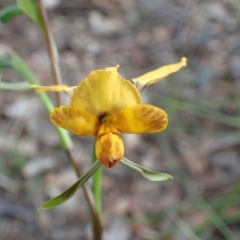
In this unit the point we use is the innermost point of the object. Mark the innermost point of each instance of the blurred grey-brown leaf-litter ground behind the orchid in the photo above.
(200, 147)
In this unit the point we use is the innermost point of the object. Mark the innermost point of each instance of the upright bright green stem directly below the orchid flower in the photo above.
(97, 186)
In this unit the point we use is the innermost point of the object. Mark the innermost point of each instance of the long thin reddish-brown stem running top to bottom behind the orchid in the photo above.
(97, 227)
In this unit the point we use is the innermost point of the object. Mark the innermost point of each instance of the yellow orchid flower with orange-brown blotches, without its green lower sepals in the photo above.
(105, 105)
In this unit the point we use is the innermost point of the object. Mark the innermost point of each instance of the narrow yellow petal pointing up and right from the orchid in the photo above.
(158, 74)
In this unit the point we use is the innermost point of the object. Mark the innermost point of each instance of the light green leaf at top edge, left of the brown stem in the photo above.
(31, 9)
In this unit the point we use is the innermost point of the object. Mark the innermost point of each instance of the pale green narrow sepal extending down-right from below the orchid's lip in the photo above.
(144, 172)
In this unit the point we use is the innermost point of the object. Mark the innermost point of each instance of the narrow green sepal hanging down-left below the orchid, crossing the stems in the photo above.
(71, 191)
